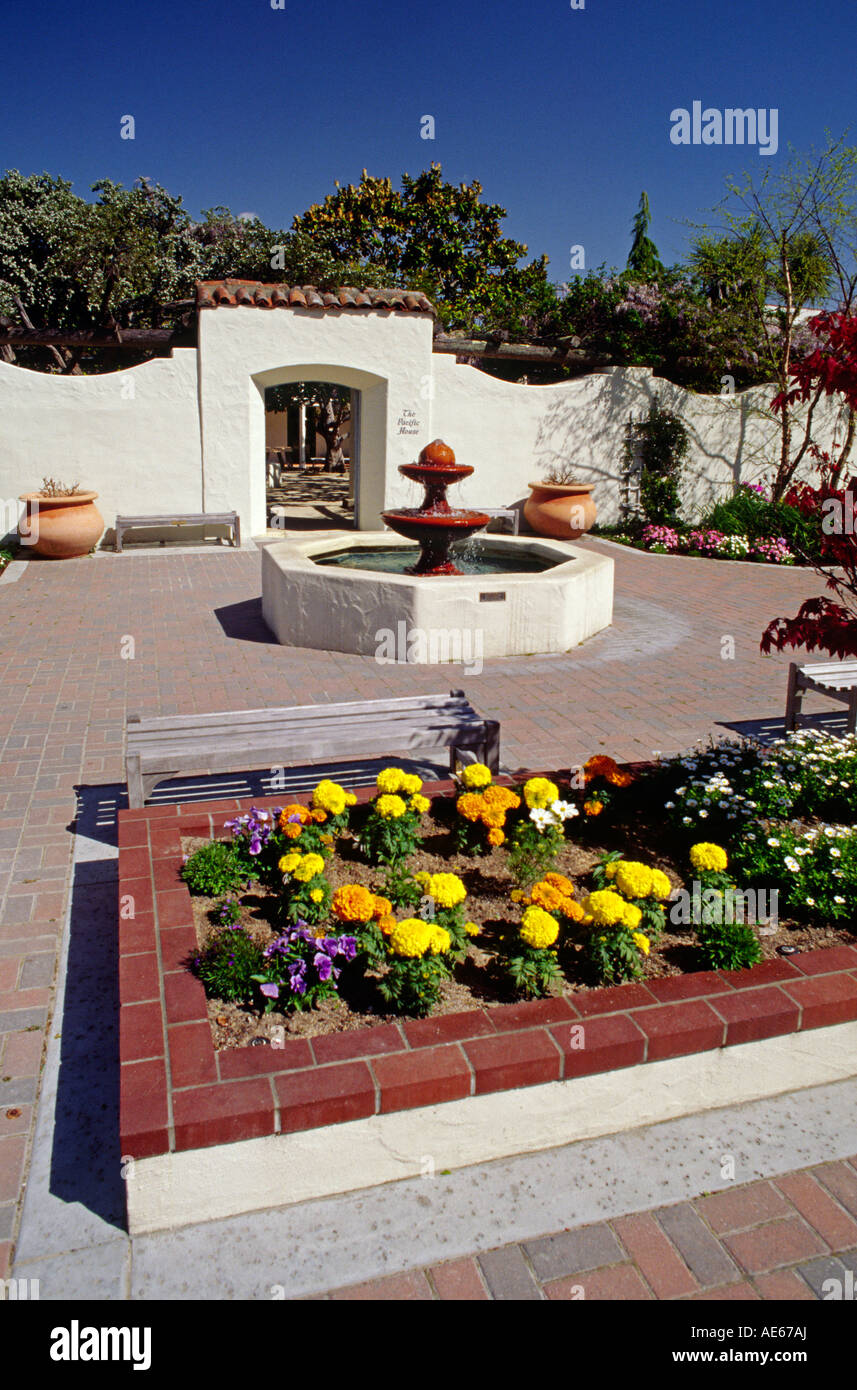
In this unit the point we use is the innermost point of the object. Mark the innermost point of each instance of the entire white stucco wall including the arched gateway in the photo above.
(188, 433)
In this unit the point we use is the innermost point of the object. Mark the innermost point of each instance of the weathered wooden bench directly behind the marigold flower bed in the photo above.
(253, 739)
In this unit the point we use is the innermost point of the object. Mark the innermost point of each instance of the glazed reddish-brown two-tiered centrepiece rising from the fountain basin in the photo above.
(435, 525)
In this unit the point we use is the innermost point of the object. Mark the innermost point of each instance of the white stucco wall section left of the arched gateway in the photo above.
(133, 437)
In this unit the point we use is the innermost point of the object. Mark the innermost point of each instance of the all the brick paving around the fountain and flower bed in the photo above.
(87, 643)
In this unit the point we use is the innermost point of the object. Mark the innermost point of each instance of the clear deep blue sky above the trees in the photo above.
(562, 115)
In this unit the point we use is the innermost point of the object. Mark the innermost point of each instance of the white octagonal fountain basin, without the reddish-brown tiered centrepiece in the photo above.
(334, 607)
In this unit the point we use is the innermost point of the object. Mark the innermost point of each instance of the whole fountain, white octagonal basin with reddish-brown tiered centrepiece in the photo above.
(359, 590)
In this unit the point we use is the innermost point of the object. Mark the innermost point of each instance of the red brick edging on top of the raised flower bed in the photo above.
(178, 1095)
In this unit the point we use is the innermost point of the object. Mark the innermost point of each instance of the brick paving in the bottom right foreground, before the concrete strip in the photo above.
(777, 1241)
